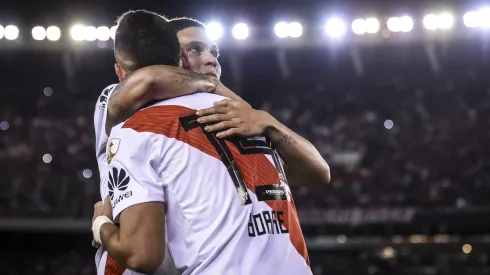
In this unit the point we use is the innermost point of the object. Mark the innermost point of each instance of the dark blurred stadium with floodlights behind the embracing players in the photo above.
(401, 117)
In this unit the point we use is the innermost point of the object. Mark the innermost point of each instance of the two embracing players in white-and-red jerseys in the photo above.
(193, 179)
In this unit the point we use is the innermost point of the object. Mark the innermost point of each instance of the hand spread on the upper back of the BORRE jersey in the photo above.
(230, 118)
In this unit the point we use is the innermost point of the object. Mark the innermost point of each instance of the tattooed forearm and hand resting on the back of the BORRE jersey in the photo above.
(304, 164)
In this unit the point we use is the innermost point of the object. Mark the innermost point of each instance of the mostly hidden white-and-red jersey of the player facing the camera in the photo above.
(105, 265)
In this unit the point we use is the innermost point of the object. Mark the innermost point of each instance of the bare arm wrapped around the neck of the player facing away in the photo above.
(158, 82)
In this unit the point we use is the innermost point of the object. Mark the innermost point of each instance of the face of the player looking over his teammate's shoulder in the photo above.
(202, 52)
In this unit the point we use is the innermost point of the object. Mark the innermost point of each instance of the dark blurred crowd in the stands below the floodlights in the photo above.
(390, 140)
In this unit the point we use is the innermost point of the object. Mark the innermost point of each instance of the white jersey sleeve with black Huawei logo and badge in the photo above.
(133, 162)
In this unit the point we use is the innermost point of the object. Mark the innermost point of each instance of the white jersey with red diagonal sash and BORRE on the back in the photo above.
(228, 207)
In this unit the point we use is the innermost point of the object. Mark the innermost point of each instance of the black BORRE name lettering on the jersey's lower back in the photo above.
(266, 222)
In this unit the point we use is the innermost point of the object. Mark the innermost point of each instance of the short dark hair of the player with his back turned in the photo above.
(143, 39)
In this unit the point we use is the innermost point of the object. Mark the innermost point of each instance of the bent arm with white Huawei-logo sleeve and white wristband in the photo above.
(137, 202)
